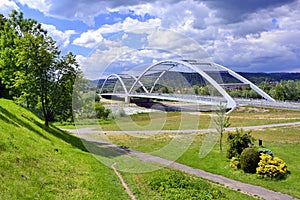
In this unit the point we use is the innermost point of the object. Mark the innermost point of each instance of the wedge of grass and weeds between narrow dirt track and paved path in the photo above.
(172, 182)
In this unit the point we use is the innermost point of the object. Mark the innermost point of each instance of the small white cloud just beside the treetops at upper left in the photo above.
(61, 37)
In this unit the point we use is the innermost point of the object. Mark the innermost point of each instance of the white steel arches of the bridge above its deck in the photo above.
(193, 65)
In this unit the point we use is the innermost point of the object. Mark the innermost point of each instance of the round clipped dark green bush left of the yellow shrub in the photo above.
(249, 160)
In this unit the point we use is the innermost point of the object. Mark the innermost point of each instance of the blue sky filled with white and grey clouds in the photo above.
(245, 36)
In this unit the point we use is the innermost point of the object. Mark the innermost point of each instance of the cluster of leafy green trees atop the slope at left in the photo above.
(33, 69)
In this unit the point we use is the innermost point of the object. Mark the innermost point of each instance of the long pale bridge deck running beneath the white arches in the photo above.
(208, 100)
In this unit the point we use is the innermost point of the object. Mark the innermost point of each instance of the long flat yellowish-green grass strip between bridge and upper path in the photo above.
(242, 116)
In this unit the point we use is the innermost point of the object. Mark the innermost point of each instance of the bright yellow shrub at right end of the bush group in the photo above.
(271, 167)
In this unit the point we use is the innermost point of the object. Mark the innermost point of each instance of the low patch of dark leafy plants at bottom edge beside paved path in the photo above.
(177, 185)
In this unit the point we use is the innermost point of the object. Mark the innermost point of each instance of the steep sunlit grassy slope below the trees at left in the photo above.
(37, 162)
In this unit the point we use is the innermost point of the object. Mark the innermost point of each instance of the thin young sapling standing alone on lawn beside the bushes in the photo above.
(221, 121)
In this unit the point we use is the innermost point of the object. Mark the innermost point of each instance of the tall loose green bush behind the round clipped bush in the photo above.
(237, 141)
